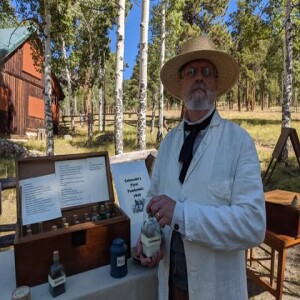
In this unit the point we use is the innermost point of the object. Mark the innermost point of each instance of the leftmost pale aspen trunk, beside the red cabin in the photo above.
(48, 87)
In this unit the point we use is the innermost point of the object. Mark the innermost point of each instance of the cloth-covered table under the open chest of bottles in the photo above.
(140, 283)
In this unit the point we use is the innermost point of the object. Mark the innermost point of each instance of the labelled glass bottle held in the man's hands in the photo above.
(150, 236)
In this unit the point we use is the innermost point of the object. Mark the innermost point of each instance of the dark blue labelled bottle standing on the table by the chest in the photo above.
(118, 258)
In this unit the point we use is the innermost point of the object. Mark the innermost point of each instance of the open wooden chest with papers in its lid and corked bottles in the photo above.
(84, 244)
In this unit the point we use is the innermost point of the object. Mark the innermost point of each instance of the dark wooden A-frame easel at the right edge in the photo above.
(285, 134)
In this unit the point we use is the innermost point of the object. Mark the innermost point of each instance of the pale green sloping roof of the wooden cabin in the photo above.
(11, 39)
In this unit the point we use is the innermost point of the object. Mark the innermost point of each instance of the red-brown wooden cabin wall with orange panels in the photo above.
(22, 106)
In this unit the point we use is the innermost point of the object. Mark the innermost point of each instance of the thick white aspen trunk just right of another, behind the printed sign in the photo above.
(143, 76)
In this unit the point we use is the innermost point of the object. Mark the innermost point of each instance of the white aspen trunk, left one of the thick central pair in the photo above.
(119, 79)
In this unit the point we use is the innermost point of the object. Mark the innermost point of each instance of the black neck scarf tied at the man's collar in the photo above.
(186, 152)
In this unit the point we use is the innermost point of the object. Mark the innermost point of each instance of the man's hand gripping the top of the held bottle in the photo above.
(162, 207)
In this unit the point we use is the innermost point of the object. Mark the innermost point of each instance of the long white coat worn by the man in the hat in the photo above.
(224, 209)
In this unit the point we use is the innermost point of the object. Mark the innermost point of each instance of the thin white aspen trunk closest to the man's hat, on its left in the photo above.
(161, 87)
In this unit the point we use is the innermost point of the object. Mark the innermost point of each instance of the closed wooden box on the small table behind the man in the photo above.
(282, 217)
